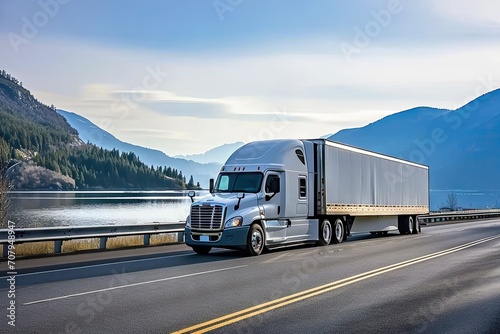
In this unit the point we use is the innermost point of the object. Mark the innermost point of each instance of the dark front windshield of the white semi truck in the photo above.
(239, 182)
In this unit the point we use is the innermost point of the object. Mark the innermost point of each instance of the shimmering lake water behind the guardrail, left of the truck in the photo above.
(83, 208)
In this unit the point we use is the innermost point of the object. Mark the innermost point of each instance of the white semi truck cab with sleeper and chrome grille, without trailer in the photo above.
(260, 199)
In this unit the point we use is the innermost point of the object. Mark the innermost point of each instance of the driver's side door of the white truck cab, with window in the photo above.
(271, 202)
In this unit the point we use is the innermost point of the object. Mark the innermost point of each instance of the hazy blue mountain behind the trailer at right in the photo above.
(460, 146)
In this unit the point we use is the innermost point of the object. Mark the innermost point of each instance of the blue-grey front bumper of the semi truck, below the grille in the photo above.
(233, 238)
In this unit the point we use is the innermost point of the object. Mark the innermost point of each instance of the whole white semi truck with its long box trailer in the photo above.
(276, 193)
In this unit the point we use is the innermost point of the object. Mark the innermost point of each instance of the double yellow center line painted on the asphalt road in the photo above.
(293, 298)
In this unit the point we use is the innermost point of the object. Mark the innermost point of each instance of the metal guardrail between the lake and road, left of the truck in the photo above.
(103, 232)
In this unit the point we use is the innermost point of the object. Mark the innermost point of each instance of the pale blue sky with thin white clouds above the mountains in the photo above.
(186, 76)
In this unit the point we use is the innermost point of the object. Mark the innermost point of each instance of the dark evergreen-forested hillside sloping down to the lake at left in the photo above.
(40, 150)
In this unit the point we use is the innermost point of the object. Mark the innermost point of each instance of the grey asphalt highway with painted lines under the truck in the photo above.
(444, 280)
